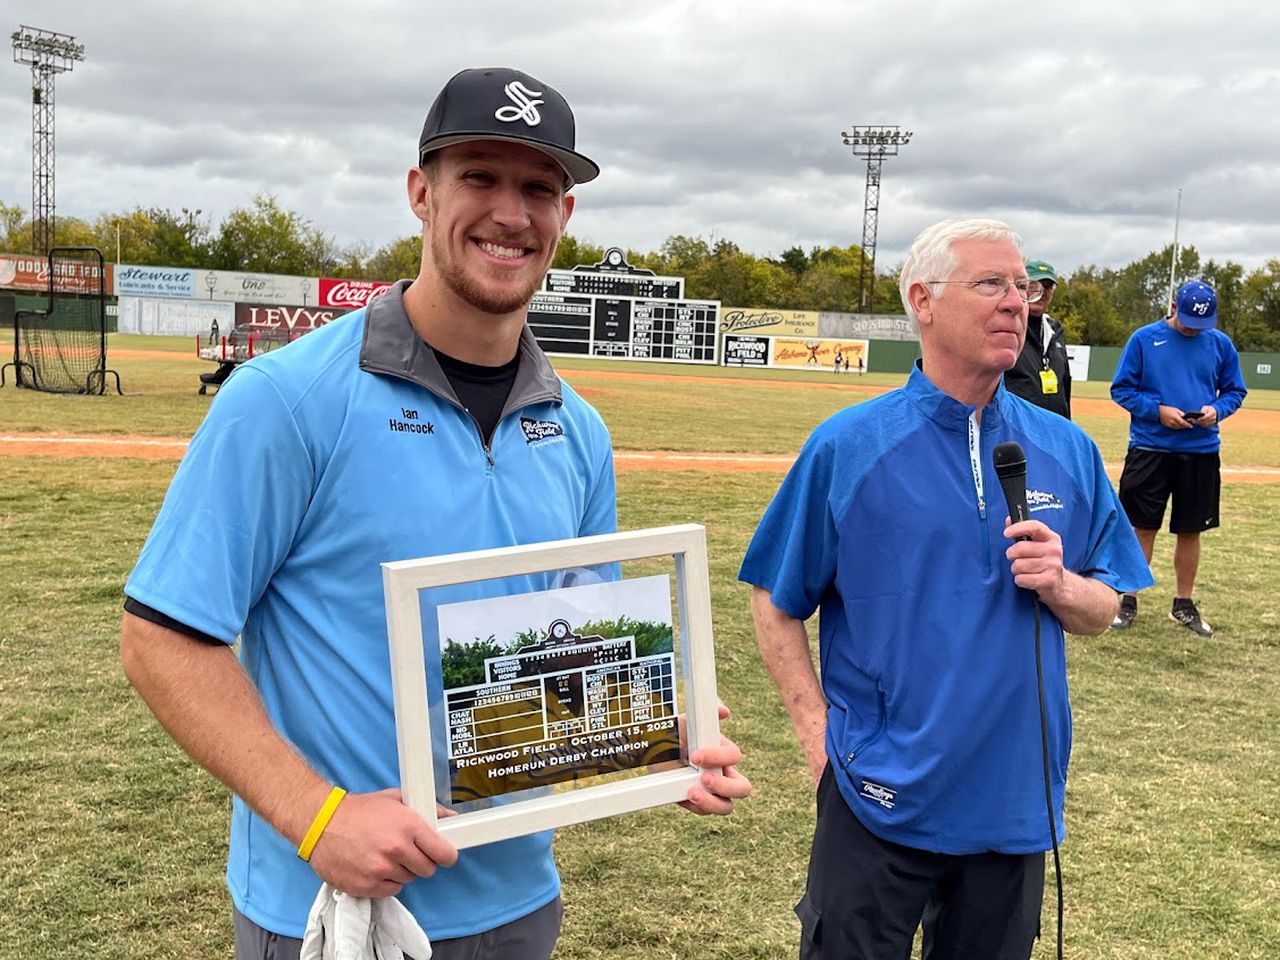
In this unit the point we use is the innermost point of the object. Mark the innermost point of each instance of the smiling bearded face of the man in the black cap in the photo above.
(493, 213)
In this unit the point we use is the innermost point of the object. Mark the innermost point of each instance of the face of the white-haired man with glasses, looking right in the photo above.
(968, 339)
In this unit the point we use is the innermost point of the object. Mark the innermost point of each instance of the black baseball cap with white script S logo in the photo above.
(500, 103)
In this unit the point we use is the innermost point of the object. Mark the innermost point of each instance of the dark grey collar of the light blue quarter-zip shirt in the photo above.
(391, 346)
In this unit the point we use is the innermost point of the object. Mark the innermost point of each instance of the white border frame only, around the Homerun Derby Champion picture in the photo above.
(403, 583)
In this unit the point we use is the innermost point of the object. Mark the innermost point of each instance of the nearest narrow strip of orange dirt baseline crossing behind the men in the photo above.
(62, 446)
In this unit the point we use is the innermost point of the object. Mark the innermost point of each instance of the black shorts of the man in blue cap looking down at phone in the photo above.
(1151, 477)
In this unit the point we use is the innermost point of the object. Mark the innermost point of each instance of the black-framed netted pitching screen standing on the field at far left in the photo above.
(62, 349)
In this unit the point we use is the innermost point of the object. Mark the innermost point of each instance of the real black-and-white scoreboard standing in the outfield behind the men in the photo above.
(612, 309)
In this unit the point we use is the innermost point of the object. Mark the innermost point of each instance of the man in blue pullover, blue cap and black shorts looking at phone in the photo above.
(1180, 378)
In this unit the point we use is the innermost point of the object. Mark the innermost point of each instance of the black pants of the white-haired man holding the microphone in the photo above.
(867, 897)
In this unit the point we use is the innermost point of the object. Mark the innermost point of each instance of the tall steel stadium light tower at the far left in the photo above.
(49, 54)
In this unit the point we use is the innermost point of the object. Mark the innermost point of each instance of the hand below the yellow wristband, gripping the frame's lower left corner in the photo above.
(374, 845)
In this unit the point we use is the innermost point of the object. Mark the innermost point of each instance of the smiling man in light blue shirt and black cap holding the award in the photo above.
(426, 424)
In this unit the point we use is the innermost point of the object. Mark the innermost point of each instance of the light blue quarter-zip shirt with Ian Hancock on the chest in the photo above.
(317, 464)
